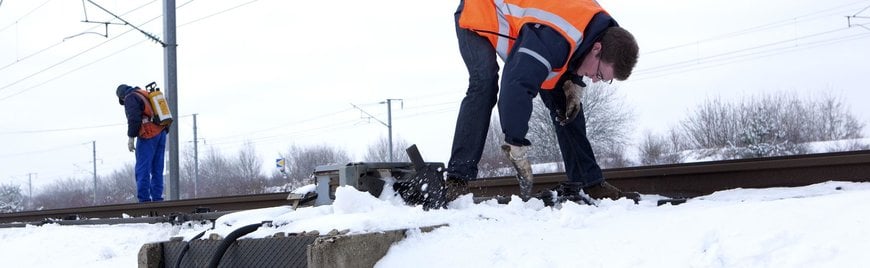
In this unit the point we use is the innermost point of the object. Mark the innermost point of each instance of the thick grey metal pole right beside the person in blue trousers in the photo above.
(171, 78)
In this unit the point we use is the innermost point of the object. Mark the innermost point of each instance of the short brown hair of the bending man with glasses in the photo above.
(619, 47)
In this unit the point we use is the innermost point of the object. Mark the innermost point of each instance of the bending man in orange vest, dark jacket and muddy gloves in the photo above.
(548, 47)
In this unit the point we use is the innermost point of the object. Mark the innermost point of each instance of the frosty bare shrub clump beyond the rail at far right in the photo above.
(769, 125)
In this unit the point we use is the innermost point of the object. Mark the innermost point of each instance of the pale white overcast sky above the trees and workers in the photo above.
(278, 73)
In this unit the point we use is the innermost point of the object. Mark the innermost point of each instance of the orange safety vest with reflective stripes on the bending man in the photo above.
(501, 20)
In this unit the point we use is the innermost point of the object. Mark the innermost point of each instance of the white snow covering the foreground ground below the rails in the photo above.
(811, 226)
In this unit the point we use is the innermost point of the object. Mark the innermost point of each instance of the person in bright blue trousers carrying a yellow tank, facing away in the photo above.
(150, 145)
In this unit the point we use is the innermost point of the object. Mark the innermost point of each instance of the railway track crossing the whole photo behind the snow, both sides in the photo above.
(677, 180)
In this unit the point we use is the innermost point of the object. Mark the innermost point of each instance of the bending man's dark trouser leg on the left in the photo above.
(476, 108)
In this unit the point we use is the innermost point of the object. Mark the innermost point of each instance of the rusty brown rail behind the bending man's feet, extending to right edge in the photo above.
(695, 179)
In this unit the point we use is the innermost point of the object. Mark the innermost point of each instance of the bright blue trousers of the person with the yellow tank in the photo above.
(149, 167)
